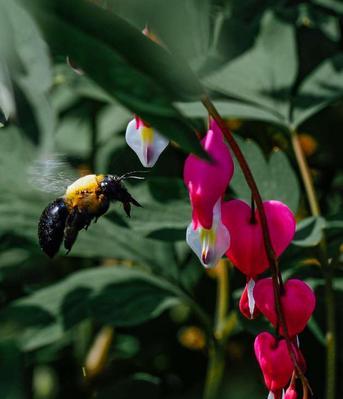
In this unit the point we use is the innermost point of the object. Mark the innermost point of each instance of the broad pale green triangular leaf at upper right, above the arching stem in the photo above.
(262, 76)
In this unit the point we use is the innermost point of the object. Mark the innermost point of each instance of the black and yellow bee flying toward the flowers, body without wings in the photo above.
(86, 199)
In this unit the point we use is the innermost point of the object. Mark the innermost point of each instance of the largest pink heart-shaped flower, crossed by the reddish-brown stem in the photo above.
(247, 251)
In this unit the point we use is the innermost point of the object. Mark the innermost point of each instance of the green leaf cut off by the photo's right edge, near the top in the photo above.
(319, 89)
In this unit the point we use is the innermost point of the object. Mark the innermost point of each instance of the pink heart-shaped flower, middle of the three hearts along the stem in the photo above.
(298, 303)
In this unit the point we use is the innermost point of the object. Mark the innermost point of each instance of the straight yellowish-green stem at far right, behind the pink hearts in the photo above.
(327, 268)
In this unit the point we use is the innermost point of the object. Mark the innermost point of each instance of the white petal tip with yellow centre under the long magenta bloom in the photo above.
(209, 244)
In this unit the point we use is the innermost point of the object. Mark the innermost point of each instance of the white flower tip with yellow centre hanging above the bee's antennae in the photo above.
(145, 141)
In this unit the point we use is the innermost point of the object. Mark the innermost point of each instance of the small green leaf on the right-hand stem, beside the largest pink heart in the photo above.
(309, 232)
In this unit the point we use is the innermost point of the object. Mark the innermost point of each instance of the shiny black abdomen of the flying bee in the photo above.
(51, 226)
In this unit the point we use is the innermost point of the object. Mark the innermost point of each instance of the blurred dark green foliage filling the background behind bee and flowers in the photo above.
(124, 314)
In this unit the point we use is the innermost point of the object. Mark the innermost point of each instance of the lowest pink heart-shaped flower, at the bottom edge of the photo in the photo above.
(275, 362)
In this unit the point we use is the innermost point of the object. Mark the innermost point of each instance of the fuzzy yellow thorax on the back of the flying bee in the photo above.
(84, 193)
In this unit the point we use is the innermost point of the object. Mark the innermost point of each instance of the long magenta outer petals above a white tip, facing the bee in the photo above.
(207, 182)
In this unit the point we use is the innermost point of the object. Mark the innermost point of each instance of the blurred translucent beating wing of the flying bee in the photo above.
(51, 174)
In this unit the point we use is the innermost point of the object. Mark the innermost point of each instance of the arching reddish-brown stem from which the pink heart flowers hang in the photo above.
(273, 261)
